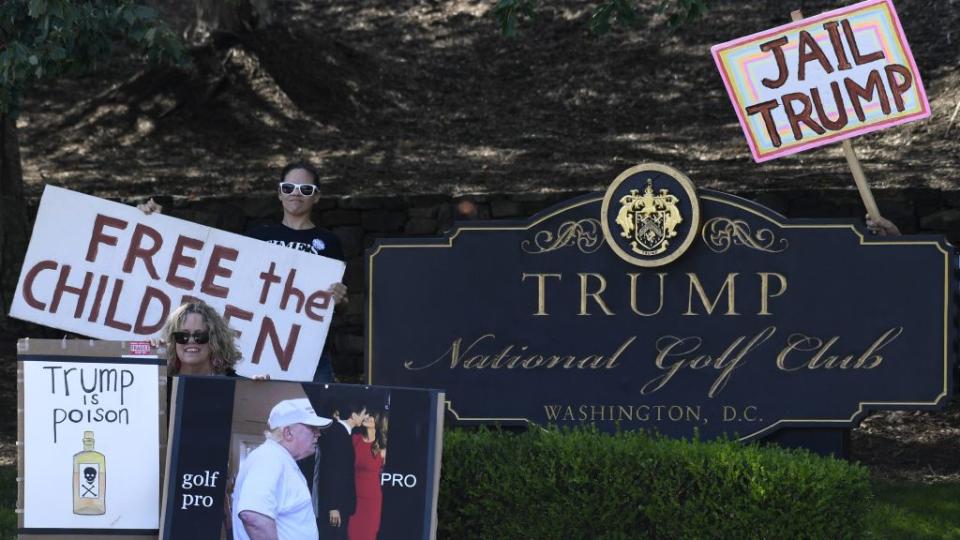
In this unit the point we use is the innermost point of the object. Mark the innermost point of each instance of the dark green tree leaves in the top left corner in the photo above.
(47, 38)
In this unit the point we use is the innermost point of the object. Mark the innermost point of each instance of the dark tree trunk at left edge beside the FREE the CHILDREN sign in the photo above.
(14, 227)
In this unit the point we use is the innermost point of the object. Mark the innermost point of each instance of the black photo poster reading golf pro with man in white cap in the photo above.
(218, 440)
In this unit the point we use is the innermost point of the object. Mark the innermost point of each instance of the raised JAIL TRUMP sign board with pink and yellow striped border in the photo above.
(822, 79)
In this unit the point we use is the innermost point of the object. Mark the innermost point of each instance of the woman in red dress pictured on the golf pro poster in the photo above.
(370, 451)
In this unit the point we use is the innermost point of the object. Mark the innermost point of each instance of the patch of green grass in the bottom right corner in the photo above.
(916, 511)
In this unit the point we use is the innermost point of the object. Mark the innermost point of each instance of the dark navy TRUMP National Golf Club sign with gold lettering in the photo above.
(759, 324)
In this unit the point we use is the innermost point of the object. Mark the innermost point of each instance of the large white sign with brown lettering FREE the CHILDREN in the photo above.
(108, 271)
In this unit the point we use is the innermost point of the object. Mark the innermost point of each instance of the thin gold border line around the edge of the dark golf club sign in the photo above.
(726, 199)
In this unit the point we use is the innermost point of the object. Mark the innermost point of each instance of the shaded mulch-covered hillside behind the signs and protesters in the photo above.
(405, 97)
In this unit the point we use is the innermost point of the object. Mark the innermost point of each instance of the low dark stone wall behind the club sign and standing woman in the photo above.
(359, 221)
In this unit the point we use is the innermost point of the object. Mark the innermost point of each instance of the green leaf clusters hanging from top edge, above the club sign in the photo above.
(606, 14)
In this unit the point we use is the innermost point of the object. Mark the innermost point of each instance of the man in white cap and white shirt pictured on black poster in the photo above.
(271, 499)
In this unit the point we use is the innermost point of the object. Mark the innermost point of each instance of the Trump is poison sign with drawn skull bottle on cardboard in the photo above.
(92, 438)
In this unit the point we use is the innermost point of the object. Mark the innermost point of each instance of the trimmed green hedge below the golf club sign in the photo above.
(584, 484)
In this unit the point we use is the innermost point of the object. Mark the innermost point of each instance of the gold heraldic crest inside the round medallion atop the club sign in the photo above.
(649, 221)
